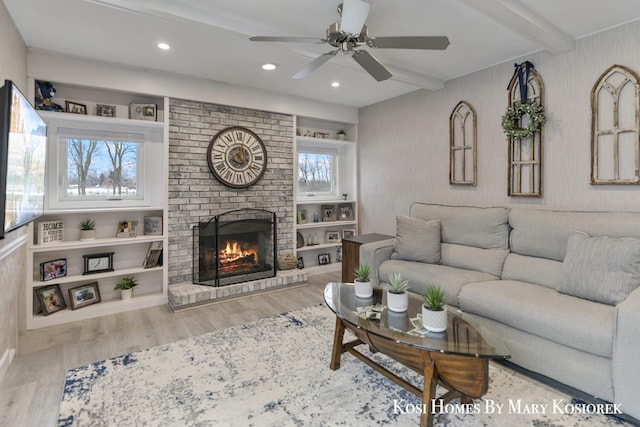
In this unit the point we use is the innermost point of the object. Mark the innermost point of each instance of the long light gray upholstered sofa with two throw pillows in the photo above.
(559, 287)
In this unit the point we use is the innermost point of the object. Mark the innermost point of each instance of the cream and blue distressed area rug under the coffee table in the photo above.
(275, 372)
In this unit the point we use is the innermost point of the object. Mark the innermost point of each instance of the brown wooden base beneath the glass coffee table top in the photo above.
(463, 376)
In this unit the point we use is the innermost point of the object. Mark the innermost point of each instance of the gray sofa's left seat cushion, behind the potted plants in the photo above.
(421, 275)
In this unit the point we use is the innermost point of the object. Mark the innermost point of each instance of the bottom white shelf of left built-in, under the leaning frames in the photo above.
(102, 308)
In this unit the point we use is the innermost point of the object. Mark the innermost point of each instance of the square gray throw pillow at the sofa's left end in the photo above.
(417, 240)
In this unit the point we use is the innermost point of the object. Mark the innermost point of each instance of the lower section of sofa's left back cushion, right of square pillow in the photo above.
(470, 258)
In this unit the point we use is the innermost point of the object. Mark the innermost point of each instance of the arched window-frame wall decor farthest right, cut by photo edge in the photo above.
(615, 127)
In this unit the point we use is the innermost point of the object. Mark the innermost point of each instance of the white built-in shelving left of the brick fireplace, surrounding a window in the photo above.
(129, 253)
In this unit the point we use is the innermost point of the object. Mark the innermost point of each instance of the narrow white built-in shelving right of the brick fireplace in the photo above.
(323, 218)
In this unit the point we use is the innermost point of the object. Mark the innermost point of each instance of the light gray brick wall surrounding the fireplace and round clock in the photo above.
(194, 193)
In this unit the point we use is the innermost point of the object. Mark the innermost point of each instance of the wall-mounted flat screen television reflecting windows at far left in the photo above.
(23, 147)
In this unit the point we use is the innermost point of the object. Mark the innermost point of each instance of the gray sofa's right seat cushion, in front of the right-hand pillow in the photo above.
(574, 322)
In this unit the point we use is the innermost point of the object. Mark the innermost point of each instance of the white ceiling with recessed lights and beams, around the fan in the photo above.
(209, 38)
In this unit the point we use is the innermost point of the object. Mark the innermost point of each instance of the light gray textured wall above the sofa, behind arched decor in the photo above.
(404, 142)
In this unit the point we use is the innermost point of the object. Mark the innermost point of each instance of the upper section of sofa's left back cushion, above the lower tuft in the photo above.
(486, 228)
